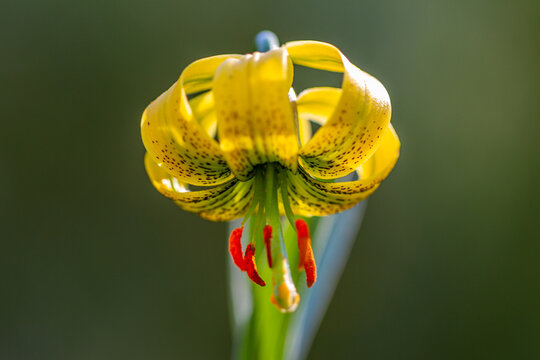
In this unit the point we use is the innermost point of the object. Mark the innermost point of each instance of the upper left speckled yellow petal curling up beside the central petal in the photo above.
(173, 135)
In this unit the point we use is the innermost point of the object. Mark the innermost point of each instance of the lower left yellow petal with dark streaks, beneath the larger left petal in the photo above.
(224, 202)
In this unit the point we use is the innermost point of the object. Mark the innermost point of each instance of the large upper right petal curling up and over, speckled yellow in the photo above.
(354, 129)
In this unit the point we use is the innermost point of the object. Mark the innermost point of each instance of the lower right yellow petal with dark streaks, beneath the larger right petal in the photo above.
(311, 197)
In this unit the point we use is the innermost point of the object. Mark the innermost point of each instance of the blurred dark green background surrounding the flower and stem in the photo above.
(95, 264)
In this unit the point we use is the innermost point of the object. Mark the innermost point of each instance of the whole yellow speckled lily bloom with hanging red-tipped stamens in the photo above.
(232, 128)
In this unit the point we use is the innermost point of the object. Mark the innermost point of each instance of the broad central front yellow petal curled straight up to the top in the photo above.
(255, 117)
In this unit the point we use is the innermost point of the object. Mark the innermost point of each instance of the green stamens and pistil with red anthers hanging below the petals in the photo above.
(265, 228)
